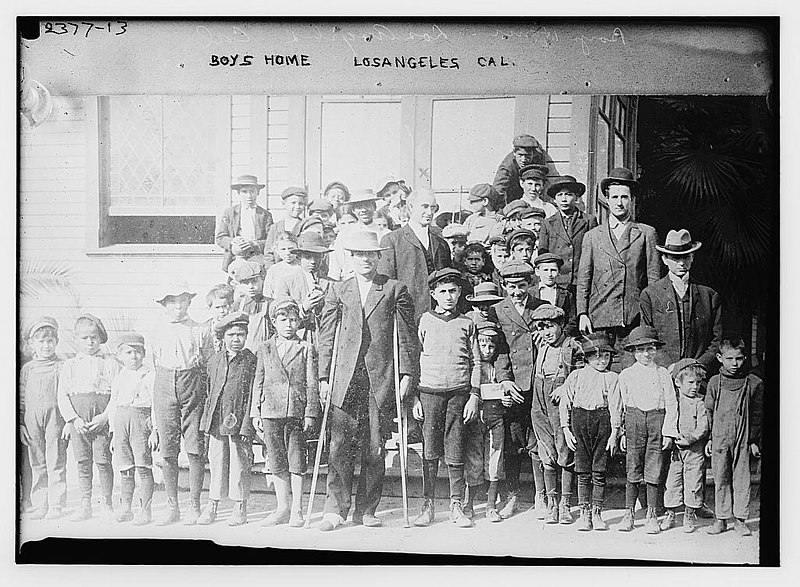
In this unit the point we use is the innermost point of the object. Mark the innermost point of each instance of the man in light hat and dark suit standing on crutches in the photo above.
(362, 391)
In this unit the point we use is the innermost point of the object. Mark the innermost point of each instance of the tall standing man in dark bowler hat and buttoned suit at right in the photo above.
(618, 260)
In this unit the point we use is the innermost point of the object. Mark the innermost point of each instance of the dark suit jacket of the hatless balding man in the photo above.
(405, 261)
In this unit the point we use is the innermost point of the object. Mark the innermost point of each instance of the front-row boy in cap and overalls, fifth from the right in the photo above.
(555, 358)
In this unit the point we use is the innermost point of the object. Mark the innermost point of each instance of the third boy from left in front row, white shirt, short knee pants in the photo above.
(131, 421)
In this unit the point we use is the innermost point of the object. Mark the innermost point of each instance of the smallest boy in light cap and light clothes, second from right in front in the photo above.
(687, 467)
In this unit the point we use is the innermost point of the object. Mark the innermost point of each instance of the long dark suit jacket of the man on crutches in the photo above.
(368, 333)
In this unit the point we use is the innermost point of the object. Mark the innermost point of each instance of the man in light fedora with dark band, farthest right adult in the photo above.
(687, 315)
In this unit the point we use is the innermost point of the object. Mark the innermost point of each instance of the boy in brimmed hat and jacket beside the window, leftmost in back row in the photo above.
(242, 229)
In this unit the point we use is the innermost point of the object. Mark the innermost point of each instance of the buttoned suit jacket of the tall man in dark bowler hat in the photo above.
(608, 287)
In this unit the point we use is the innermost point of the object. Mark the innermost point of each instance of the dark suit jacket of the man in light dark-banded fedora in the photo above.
(658, 304)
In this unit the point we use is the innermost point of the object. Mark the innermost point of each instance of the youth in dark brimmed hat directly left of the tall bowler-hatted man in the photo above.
(562, 234)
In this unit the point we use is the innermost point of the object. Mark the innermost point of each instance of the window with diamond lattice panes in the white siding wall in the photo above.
(164, 168)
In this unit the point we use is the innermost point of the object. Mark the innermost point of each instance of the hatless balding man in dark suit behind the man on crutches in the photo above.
(416, 250)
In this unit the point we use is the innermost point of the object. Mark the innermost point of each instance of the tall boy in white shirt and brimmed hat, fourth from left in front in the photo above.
(180, 351)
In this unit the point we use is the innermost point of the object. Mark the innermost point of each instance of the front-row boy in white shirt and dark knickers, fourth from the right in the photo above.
(590, 410)
